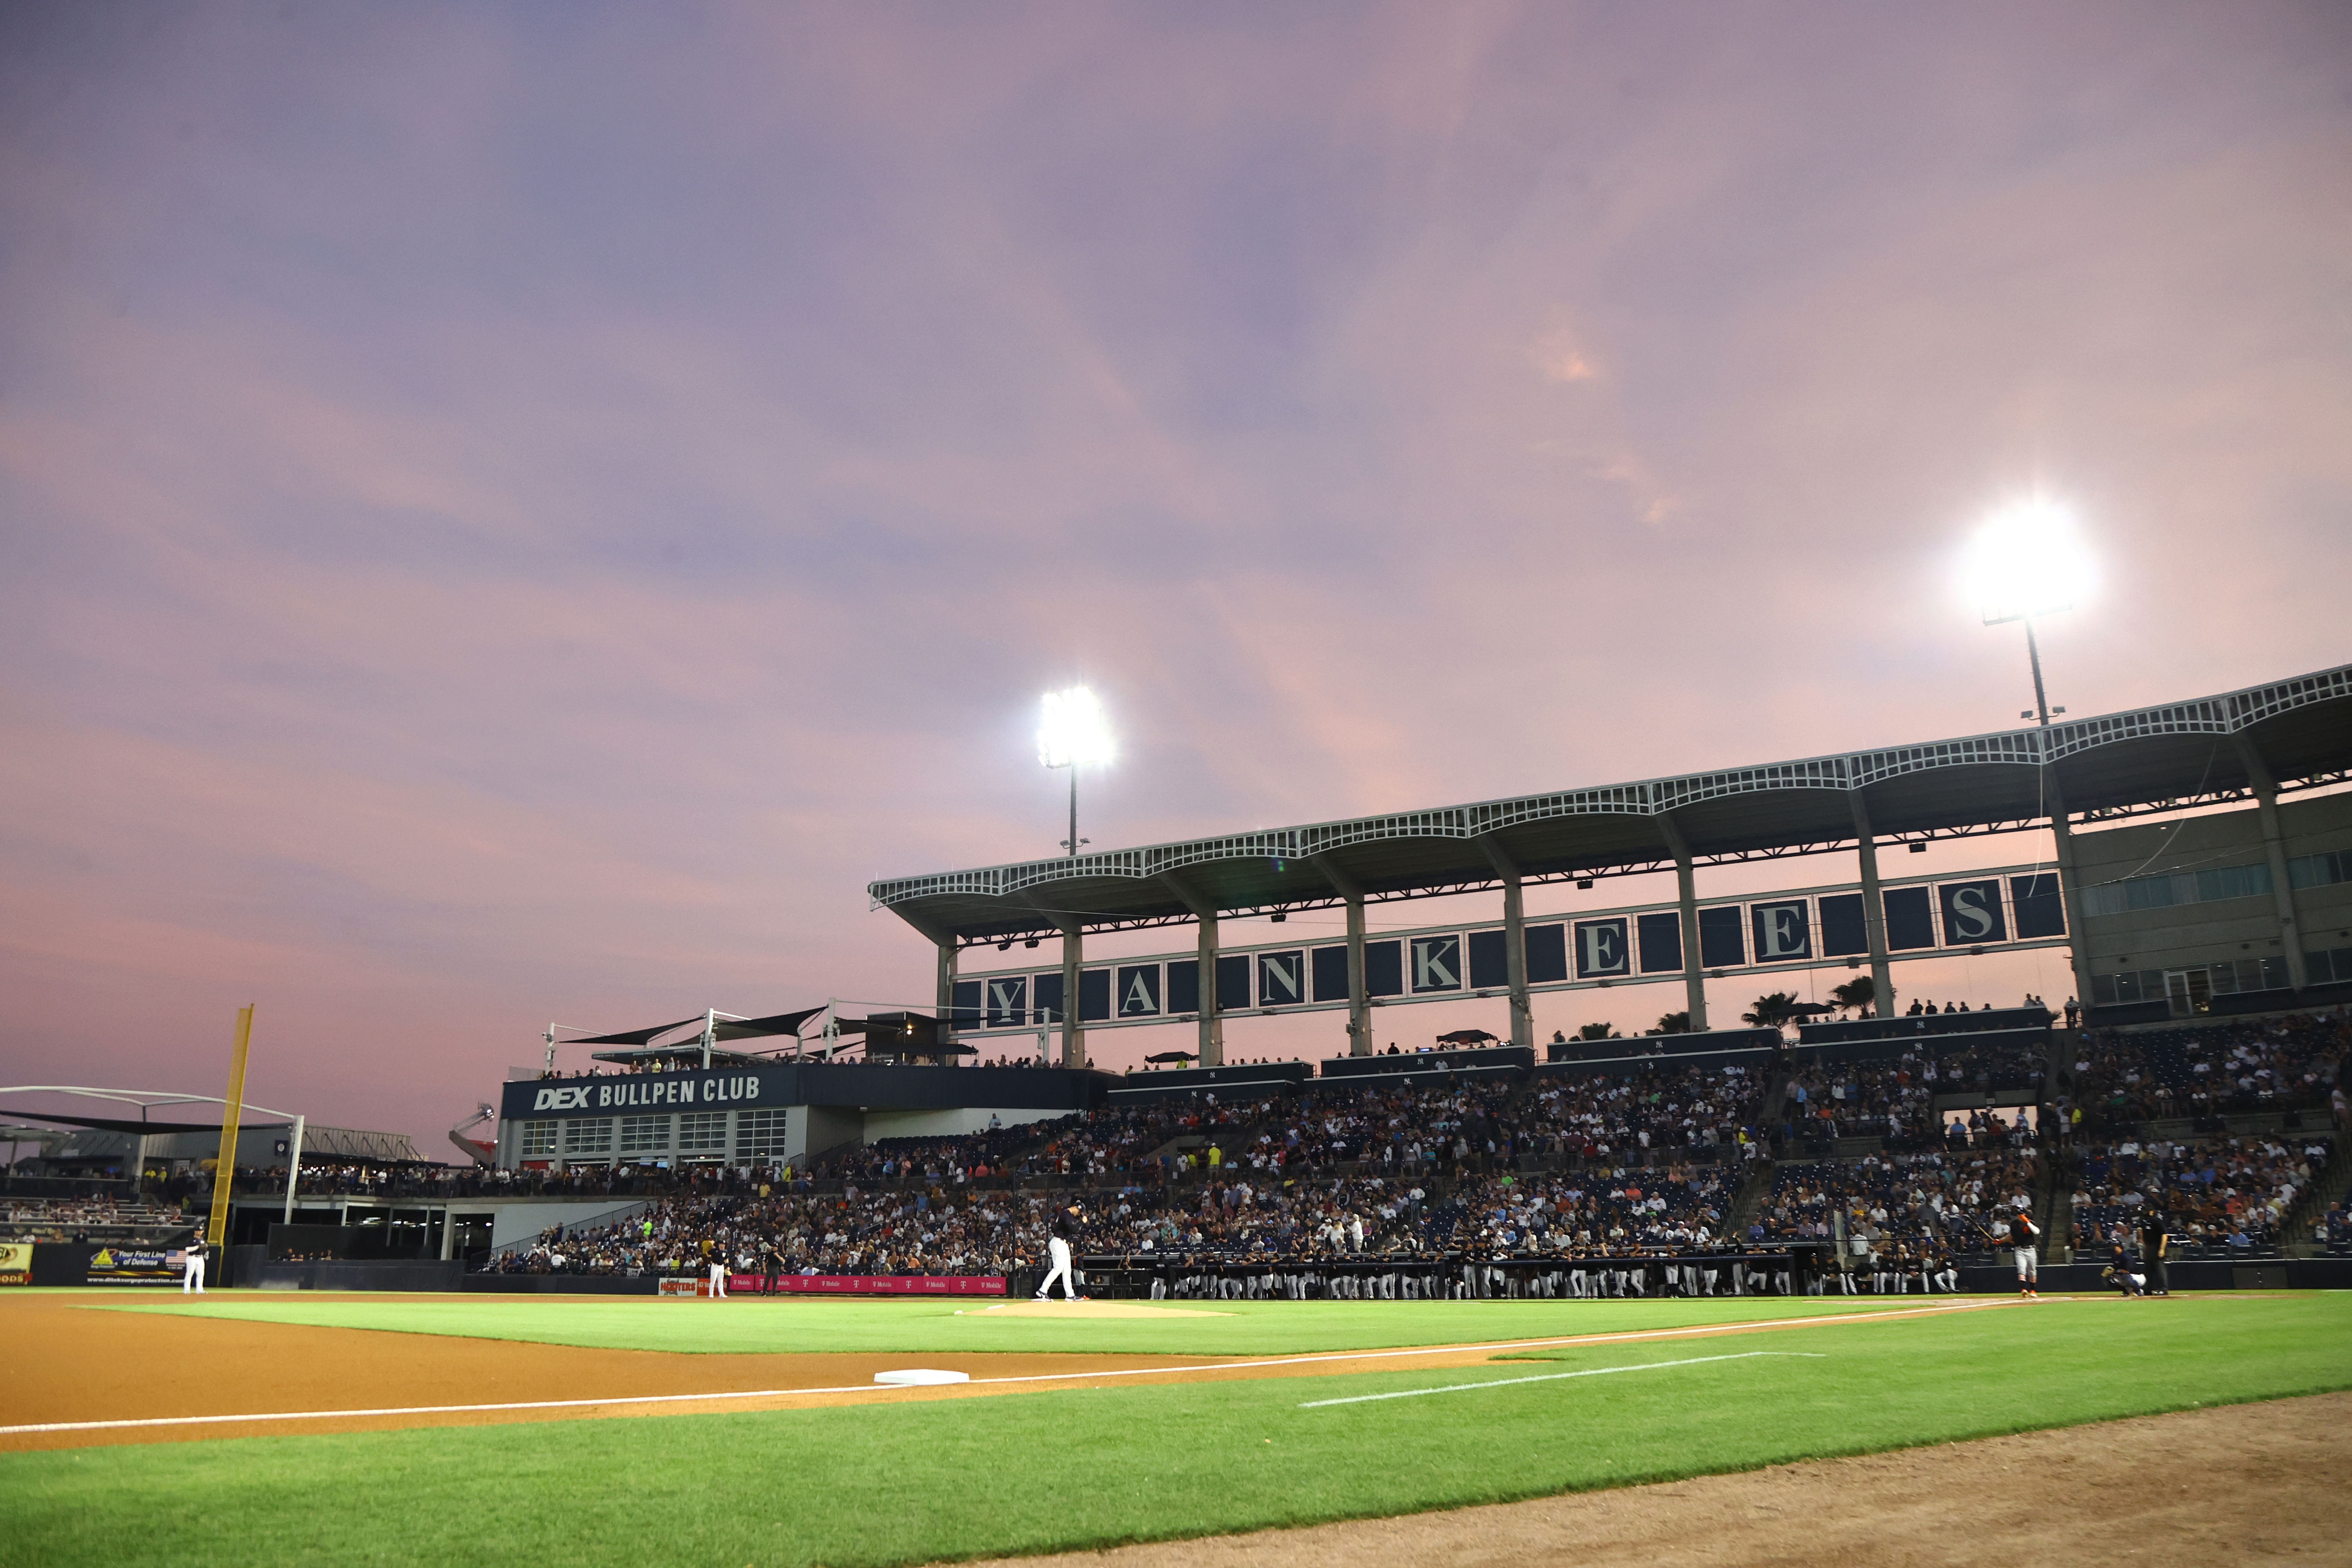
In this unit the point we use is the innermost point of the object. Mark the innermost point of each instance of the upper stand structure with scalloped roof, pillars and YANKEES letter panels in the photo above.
(2276, 873)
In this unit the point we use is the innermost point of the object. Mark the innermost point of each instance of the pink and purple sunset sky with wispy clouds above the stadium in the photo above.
(519, 514)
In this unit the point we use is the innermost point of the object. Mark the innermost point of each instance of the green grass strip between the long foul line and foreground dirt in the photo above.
(977, 1477)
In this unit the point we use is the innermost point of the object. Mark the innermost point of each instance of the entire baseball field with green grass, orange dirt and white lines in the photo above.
(632, 1430)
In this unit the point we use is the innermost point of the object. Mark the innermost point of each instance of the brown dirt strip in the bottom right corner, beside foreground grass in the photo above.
(2243, 1485)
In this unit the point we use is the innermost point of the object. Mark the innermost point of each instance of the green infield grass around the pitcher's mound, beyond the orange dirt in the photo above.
(763, 1327)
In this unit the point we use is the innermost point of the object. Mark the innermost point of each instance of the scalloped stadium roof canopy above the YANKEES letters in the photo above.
(2189, 753)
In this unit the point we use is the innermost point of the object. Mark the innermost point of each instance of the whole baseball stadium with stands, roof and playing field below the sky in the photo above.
(874, 1285)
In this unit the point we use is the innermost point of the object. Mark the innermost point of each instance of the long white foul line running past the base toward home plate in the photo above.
(1125, 1372)
